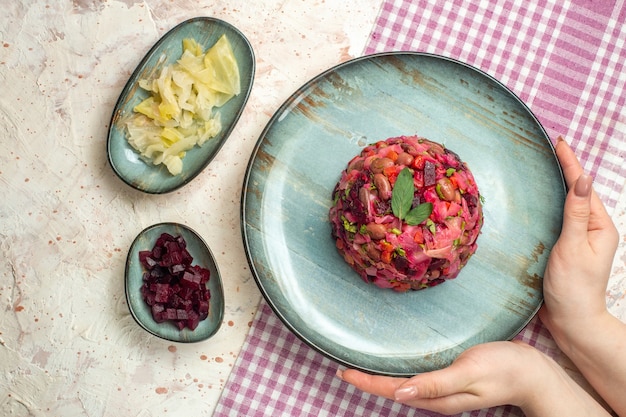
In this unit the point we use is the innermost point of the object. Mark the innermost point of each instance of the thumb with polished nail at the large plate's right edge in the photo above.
(577, 210)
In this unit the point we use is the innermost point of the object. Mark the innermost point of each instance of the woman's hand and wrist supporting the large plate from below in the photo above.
(487, 375)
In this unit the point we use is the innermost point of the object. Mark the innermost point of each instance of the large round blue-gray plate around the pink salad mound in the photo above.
(297, 162)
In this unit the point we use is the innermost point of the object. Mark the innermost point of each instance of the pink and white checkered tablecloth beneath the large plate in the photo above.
(565, 59)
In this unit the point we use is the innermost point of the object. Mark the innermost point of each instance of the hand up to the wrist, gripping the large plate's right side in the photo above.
(578, 270)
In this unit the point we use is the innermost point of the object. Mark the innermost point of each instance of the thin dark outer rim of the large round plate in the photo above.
(281, 110)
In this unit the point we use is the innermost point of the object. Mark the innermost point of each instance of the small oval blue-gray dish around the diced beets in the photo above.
(202, 256)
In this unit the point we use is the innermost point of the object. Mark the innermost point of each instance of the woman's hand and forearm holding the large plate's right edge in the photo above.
(575, 284)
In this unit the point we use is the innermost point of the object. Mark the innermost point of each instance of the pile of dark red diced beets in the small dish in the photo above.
(174, 289)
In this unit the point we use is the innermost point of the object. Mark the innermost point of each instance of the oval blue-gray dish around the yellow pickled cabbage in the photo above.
(125, 161)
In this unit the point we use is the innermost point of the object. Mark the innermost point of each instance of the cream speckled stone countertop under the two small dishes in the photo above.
(68, 344)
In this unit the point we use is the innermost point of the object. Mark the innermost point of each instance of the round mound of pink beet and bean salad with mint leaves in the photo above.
(406, 213)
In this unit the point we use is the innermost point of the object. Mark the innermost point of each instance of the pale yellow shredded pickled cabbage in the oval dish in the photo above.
(180, 111)
